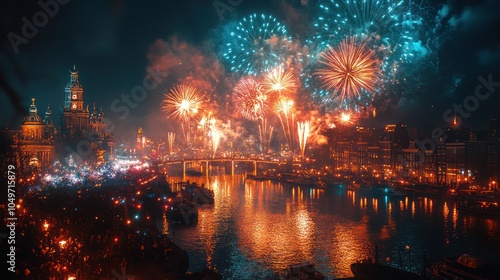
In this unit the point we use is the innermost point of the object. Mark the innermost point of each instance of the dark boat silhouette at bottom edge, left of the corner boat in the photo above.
(369, 270)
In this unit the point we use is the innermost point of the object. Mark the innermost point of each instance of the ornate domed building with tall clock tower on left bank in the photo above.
(39, 143)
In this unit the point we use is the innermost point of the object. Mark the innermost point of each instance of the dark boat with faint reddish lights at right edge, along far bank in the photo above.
(479, 205)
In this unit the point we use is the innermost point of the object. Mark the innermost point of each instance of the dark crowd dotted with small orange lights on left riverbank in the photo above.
(89, 232)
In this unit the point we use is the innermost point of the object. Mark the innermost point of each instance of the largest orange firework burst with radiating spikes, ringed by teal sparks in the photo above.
(349, 69)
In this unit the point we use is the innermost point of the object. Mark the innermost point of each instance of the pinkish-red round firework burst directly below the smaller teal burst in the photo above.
(249, 99)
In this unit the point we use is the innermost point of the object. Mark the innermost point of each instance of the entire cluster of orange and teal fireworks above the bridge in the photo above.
(350, 60)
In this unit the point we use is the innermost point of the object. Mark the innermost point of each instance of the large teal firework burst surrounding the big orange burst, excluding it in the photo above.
(396, 31)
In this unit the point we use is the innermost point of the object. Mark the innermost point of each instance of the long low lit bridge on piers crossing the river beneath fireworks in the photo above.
(205, 163)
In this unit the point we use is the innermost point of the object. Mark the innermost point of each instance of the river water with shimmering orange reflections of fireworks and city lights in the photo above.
(256, 229)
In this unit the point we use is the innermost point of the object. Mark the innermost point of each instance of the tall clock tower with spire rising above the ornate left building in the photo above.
(74, 117)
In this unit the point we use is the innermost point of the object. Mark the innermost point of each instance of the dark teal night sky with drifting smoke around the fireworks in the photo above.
(113, 42)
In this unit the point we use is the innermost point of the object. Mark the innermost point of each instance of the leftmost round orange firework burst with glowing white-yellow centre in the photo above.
(182, 102)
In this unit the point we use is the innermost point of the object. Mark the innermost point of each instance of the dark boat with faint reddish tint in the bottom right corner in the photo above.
(465, 267)
